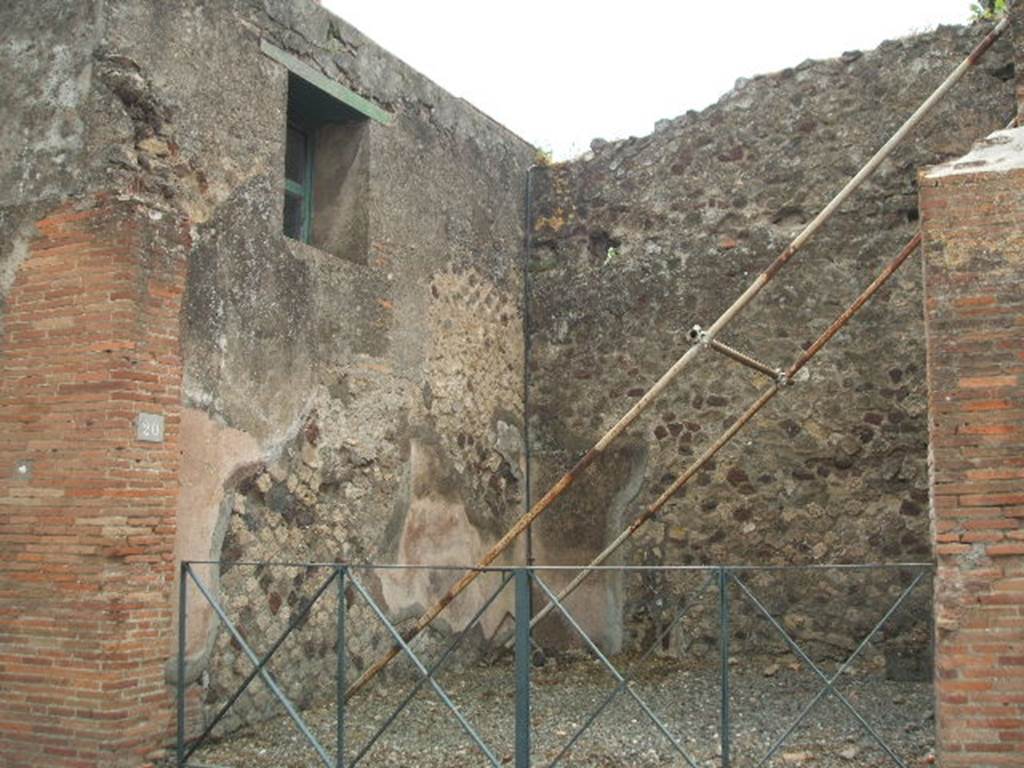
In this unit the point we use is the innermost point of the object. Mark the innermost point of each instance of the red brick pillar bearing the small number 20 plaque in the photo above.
(90, 339)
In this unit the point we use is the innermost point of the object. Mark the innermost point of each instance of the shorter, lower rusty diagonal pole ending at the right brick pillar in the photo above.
(730, 434)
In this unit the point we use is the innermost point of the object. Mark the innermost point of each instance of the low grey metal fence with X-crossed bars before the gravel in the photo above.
(728, 587)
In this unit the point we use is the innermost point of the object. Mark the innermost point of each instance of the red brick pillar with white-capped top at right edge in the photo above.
(973, 217)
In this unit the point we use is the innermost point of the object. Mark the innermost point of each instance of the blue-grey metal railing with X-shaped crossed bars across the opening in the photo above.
(728, 581)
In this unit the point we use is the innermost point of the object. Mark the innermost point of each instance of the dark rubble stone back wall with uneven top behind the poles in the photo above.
(639, 240)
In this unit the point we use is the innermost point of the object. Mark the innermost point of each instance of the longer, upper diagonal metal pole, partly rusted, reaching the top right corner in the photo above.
(660, 387)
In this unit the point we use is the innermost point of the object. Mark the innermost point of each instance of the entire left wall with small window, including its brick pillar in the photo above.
(362, 405)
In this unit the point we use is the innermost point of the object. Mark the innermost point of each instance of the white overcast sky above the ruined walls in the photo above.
(563, 72)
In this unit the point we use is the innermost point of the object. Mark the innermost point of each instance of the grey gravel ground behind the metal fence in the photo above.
(564, 693)
